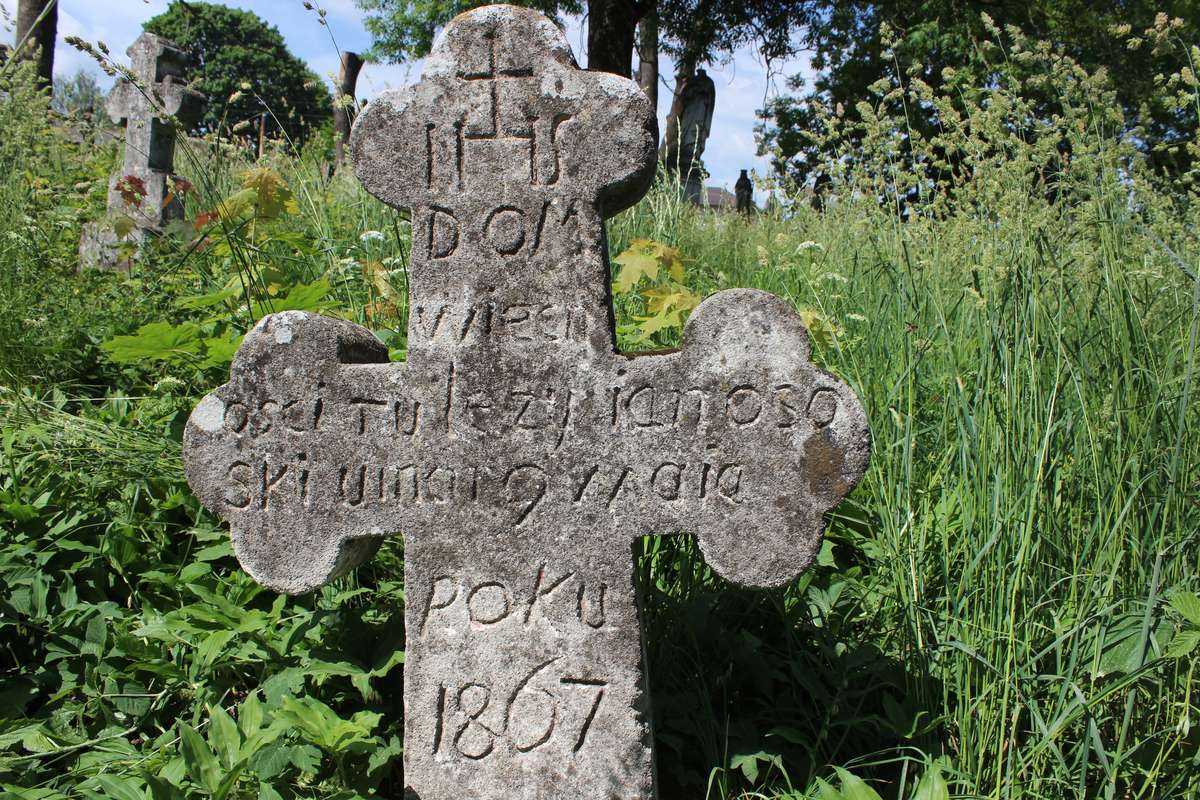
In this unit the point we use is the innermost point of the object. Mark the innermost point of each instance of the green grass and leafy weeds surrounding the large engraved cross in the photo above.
(1001, 611)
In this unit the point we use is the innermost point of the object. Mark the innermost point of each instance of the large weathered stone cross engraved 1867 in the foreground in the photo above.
(517, 450)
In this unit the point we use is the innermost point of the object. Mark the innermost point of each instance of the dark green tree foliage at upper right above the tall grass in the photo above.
(953, 47)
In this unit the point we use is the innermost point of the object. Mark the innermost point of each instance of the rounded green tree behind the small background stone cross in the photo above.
(245, 69)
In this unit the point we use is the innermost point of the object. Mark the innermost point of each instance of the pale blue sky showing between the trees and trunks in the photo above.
(742, 85)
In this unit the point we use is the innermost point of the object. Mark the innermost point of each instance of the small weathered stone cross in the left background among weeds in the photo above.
(151, 111)
